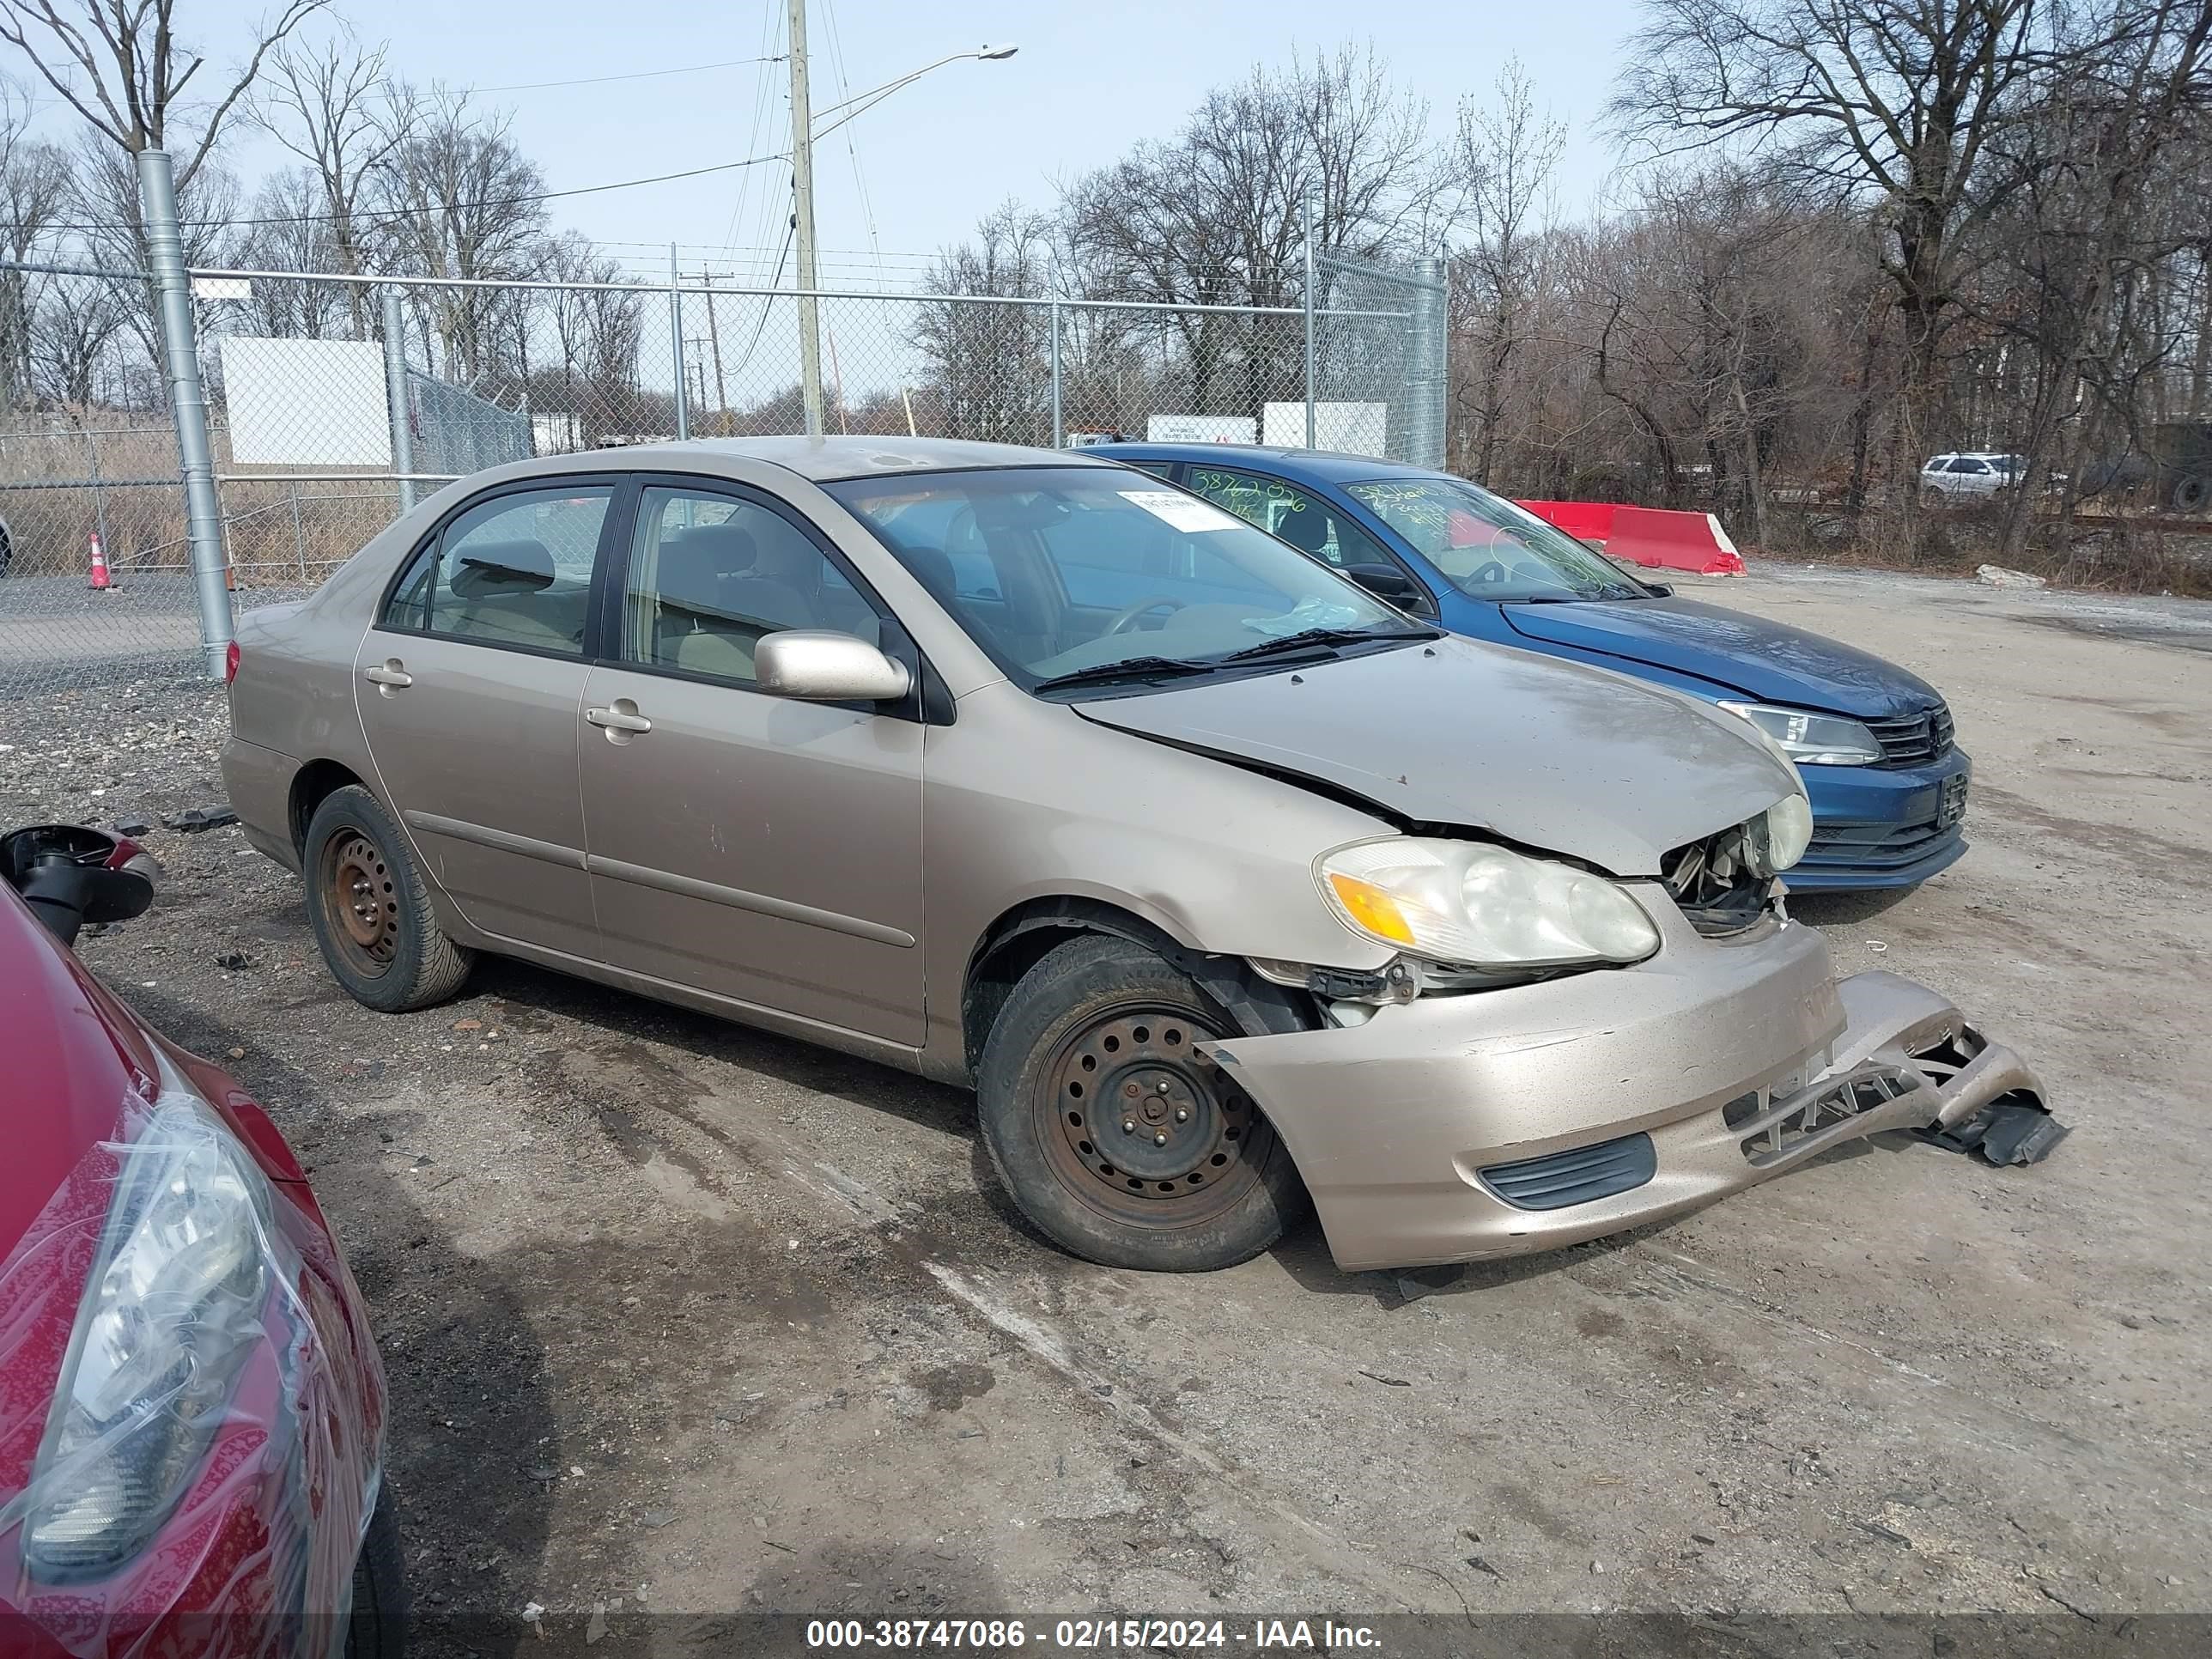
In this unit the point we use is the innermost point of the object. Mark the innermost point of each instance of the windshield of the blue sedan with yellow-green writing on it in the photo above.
(1490, 547)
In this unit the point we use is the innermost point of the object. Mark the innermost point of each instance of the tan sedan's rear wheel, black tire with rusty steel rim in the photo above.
(371, 908)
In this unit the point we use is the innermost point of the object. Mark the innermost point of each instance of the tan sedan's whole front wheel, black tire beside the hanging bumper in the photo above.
(1107, 1023)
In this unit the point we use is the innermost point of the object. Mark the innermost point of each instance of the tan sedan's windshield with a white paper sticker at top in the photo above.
(1100, 576)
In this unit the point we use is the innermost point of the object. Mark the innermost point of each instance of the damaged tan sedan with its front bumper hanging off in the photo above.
(1220, 881)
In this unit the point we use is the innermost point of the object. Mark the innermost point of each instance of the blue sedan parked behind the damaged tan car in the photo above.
(1875, 744)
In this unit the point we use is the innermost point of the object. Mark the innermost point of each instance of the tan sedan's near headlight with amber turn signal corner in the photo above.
(1481, 906)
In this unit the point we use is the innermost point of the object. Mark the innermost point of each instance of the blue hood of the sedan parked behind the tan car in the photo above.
(1762, 660)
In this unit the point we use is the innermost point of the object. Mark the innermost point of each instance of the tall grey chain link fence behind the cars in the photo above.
(335, 404)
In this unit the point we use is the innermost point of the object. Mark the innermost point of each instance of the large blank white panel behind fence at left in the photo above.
(306, 404)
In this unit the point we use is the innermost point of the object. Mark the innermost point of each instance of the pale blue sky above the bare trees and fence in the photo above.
(917, 174)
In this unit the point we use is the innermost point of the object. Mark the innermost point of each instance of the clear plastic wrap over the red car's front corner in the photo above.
(191, 1426)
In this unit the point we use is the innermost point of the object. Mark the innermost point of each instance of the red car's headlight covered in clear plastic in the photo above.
(174, 1311)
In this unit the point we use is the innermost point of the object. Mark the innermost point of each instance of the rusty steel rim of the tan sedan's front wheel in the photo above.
(1142, 1129)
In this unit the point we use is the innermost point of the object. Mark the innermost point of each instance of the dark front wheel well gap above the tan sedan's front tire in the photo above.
(1030, 932)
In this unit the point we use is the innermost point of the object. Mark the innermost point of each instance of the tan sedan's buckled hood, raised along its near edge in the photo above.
(1545, 753)
